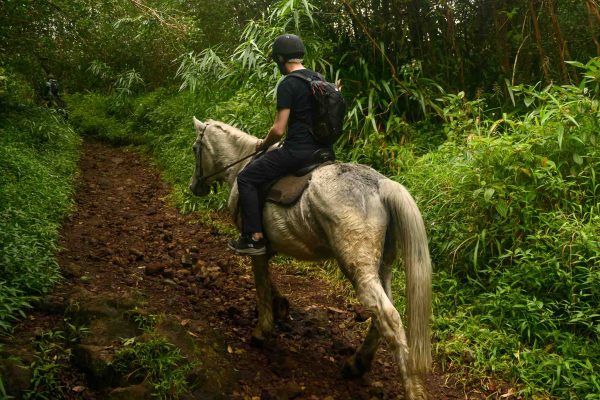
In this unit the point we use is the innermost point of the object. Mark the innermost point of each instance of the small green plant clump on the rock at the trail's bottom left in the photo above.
(156, 361)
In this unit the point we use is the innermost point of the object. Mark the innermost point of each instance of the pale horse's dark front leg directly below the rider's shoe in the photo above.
(265, 294)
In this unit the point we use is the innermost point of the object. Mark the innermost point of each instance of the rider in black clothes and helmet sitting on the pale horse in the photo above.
(294, 111)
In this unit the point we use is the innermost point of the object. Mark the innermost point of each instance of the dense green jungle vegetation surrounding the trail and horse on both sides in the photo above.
(488, 111)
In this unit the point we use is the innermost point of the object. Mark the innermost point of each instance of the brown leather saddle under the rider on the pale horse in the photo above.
(288, 189)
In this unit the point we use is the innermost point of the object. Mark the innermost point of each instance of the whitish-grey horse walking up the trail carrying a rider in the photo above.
(350, 213)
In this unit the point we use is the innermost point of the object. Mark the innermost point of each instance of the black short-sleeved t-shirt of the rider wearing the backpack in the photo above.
(294, 93)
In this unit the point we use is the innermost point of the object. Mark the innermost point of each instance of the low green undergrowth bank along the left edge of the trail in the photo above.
(38, 161)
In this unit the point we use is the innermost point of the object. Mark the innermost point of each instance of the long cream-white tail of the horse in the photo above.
(409, 235)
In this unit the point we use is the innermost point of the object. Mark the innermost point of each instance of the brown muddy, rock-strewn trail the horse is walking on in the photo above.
(125, 243)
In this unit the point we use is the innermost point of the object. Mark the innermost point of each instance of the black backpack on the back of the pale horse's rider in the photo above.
(330, 109)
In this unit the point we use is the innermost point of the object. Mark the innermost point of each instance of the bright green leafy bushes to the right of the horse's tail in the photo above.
(511, 208)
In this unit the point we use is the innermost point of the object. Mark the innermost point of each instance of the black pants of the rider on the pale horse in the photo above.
(270, 166)
